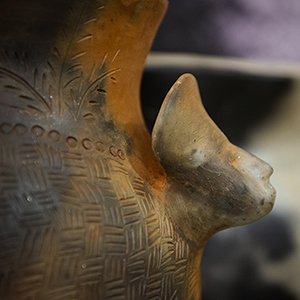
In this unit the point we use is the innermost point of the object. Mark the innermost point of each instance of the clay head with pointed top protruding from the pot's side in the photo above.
(216, 182)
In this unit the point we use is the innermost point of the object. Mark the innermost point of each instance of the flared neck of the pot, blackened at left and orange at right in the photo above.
(86, 55)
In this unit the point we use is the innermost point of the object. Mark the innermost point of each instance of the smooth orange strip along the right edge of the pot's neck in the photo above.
(129, 32)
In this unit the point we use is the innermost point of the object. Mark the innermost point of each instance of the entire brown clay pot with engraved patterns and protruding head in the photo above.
(90, 208)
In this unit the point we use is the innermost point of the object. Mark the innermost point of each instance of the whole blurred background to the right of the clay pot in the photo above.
(246, 58)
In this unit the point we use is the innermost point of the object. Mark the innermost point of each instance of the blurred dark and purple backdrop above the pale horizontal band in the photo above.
(262, 29)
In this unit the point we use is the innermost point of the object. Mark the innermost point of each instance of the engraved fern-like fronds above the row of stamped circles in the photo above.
(63, 84)
